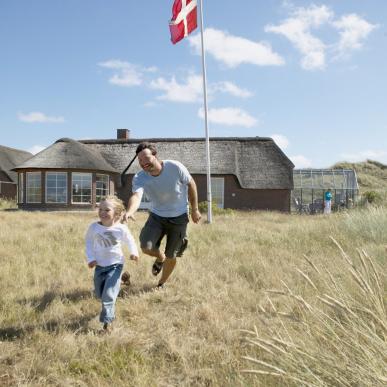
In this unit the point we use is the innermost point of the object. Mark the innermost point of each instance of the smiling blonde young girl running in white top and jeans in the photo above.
(104, 241)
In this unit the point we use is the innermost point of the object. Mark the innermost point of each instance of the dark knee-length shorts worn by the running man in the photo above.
(156, 227)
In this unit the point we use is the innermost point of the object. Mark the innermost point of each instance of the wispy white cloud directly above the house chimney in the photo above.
(126, 74)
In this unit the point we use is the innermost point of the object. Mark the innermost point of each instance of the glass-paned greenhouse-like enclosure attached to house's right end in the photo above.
(310, 186)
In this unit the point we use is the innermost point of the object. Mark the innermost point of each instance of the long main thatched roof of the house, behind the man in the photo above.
(257, 162)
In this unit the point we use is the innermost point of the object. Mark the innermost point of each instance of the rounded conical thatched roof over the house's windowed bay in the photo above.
(68, 154)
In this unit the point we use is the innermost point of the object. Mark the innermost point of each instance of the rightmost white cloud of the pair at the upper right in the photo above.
(353, 31)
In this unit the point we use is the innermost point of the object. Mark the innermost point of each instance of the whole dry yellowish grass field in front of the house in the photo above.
(267, 293)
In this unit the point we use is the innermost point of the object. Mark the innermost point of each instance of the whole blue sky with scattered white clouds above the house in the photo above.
(312, 75)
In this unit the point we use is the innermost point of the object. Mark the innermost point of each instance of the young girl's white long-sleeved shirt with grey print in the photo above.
(104, 244)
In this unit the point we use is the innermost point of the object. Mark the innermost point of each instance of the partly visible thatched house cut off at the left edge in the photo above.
(9, 158)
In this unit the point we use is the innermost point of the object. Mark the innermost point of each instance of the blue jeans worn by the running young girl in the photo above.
(107, 282)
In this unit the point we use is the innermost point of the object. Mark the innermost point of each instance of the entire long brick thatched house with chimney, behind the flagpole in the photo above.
(248, 173)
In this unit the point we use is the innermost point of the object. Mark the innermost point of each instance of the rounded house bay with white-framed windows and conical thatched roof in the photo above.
(67, 174)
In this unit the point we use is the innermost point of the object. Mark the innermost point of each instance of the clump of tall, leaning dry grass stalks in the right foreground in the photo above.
(344, 329)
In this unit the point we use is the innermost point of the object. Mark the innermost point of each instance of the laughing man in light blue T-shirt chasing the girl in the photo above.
(169, 187)
